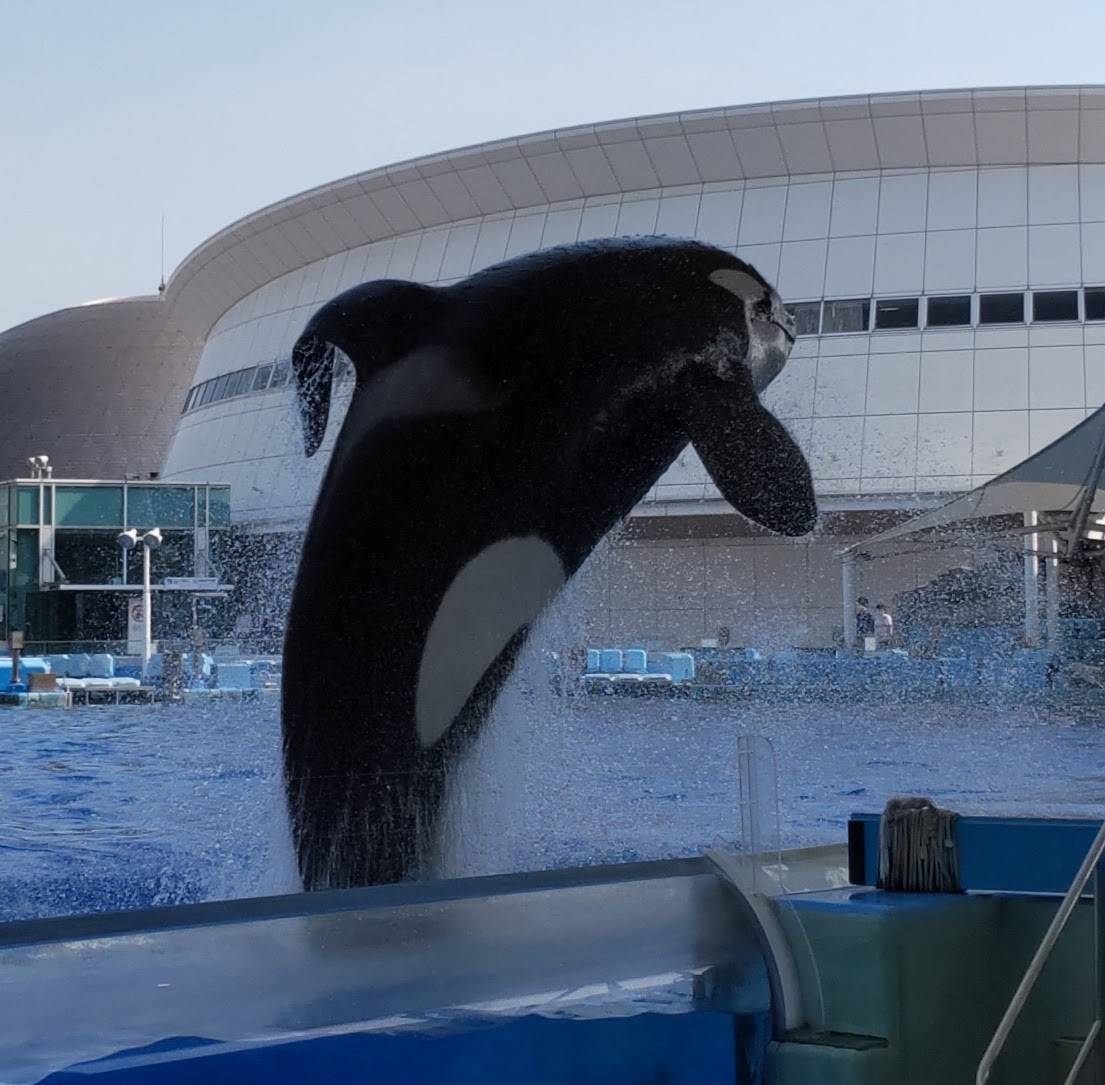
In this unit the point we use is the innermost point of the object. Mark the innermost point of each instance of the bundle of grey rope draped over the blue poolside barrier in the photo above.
(918, 848)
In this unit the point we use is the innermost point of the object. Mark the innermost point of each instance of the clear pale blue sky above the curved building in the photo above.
(112, 112)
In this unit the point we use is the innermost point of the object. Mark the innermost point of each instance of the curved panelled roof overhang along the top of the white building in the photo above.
(880, 132)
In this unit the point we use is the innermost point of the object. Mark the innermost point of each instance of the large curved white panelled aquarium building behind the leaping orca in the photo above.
(944, 254)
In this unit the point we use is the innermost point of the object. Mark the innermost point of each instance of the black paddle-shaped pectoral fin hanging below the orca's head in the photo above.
(757, 467)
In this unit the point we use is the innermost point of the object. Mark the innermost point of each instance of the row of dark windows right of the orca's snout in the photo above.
(949, 311)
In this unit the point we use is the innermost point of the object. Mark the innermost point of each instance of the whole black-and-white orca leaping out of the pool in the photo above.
(500, 428)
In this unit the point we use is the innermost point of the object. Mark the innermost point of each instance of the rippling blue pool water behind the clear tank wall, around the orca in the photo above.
(114, 808)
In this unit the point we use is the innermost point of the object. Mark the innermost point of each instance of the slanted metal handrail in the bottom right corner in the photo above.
(1091, 866)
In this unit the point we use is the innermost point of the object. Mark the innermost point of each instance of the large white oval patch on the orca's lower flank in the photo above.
(499, 592)
